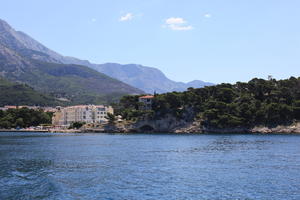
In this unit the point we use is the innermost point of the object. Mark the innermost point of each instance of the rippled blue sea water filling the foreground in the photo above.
(149, 166)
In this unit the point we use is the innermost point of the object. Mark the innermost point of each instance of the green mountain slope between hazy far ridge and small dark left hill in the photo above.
(78, 84)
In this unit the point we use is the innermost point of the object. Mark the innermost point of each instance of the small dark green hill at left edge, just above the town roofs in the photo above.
(21, 94)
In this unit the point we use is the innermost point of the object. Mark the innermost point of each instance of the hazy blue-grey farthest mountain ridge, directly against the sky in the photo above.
(148, 79)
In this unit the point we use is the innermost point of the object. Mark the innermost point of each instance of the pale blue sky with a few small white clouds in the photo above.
(210, 40)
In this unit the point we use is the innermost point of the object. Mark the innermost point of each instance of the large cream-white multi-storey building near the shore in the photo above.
(81, 113)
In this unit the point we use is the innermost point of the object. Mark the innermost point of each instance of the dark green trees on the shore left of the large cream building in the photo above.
(24, 117)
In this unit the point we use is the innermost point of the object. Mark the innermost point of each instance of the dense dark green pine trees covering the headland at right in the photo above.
(258, 102)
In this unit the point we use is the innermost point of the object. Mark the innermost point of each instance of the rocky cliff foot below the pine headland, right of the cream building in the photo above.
(172, 125)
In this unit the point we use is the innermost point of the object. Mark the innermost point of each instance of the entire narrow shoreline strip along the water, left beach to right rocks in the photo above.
(163, 126)
